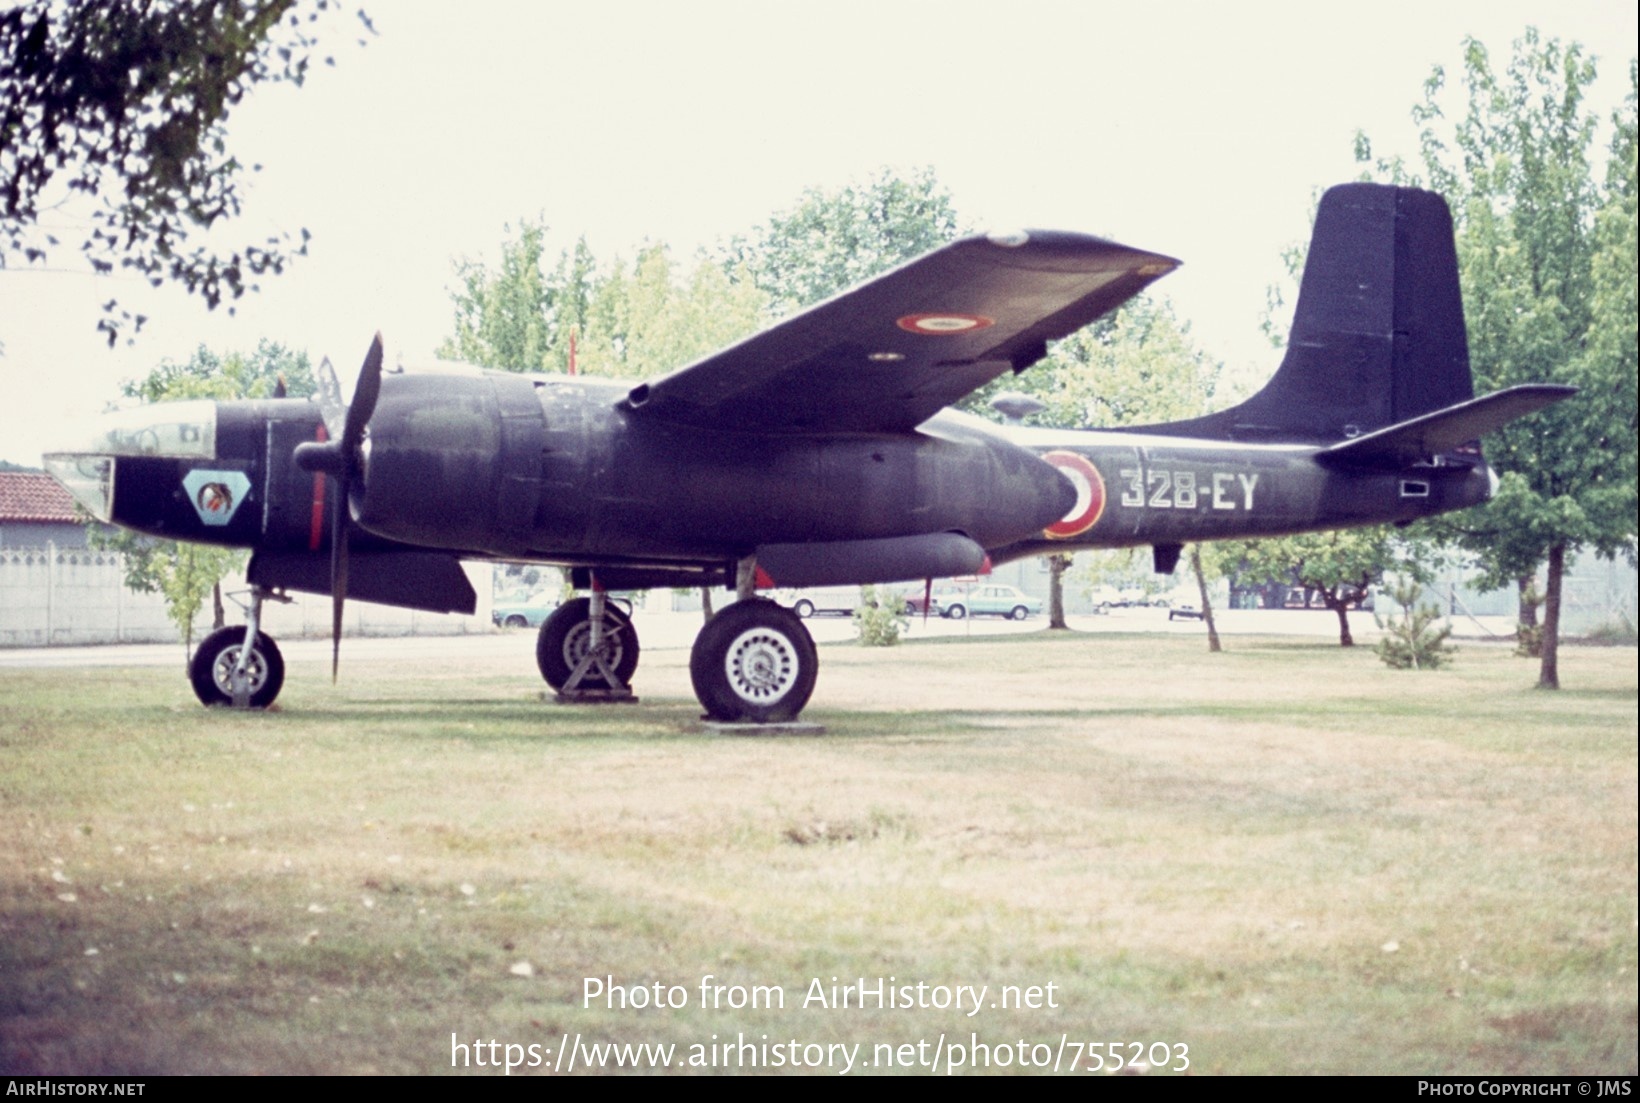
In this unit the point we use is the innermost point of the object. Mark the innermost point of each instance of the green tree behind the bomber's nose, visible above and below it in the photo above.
(186, 574)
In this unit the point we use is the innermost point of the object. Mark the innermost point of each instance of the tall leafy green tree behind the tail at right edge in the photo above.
(1547, 260)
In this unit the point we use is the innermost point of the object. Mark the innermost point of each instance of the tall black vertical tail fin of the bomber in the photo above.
(1378, 334)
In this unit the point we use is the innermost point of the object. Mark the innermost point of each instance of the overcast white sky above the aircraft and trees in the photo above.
(1201, 130)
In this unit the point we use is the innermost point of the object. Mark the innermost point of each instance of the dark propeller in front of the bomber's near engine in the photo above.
(342, 458)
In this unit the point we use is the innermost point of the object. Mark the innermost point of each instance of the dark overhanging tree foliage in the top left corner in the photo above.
(129, 102)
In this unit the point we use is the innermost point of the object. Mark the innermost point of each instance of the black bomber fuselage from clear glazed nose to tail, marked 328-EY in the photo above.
(555, 470)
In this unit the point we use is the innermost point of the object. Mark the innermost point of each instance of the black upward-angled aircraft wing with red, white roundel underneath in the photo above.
(895, 352)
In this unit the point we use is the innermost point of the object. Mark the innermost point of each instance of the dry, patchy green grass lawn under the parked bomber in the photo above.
(1288, 858)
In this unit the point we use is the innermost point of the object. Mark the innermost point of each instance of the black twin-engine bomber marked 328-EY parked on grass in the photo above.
(818, 453)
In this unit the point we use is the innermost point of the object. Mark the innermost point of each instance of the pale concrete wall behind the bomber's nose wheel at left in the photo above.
(75, 596)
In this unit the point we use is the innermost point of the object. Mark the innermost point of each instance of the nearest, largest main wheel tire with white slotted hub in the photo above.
(754, 663)
